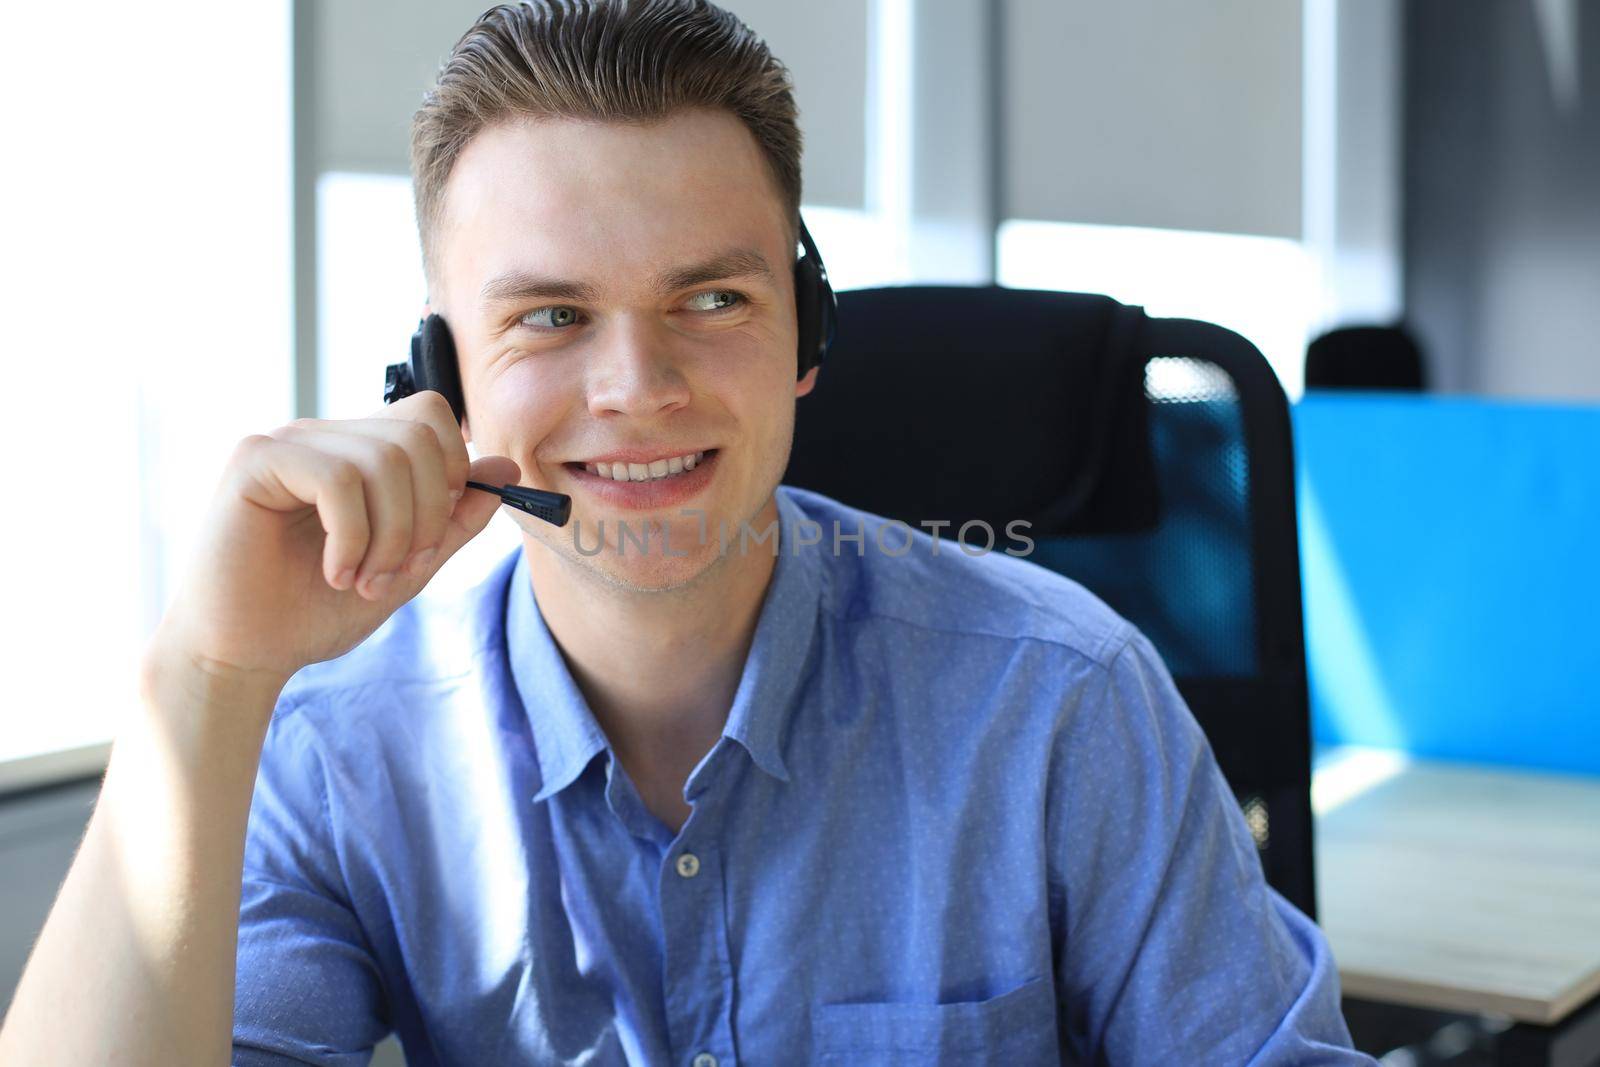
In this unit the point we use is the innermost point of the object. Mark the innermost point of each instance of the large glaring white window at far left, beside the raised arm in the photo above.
(148, 263)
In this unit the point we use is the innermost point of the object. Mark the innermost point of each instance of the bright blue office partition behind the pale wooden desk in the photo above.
(1450, 551)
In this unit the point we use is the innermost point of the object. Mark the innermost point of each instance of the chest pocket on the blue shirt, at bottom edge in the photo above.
(1015, 1028)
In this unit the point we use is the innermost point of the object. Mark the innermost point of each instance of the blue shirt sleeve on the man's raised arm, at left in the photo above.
(308, 988)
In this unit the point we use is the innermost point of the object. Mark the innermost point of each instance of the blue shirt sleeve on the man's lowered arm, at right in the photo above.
(1172, 948)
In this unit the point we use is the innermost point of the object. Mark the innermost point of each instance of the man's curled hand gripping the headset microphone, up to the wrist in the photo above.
(319, 532)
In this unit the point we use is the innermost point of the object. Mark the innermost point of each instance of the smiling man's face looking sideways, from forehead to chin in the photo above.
(626, 289)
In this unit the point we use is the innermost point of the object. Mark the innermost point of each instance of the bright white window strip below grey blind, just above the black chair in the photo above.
(1265, 289)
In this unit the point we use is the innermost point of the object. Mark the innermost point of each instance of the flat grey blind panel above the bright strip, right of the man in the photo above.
(1154, 113)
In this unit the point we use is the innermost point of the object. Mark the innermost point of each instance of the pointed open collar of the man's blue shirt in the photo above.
(566, 732)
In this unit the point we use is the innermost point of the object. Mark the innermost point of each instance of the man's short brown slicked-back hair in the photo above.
(601, 60)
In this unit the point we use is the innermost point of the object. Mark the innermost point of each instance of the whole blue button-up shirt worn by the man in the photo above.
(959, 815)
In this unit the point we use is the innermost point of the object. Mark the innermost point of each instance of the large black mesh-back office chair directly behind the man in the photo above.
(1151, 455)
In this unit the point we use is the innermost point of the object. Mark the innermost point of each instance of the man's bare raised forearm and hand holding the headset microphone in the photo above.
(318, 533)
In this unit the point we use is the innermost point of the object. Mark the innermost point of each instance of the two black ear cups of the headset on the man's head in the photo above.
(433, 364)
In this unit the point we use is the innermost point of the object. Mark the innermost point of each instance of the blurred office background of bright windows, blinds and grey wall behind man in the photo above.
(209, 233)
